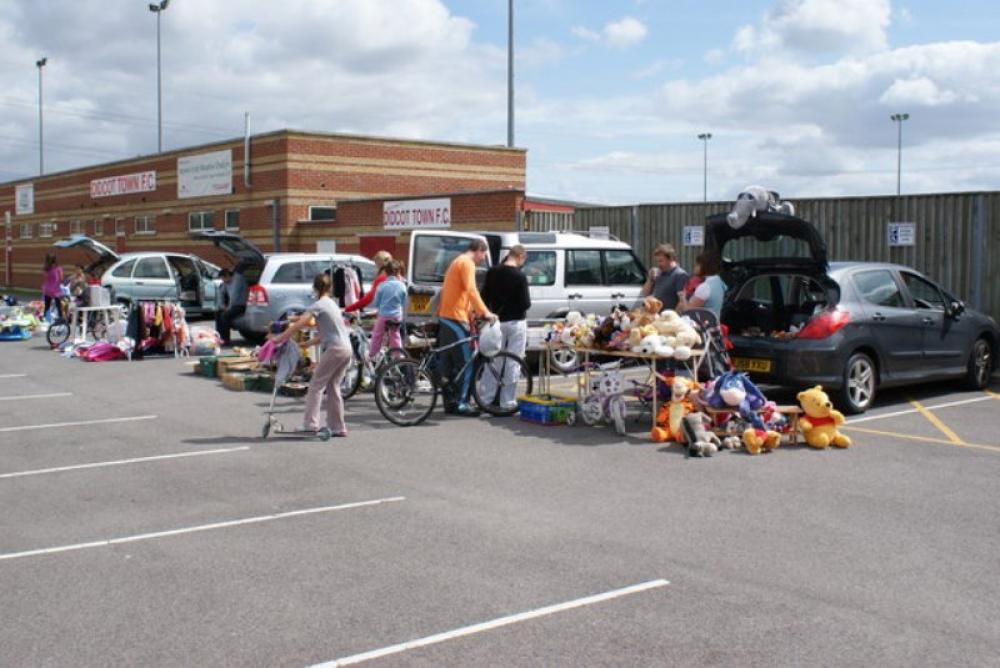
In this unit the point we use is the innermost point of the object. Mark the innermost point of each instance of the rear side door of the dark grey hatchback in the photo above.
(894, 324)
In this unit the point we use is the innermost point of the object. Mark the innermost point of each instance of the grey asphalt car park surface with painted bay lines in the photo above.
(146, 523)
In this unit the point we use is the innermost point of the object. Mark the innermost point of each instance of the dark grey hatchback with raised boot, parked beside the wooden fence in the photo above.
(853, 327)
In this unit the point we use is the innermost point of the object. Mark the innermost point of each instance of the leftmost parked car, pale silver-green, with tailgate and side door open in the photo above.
(186, 279)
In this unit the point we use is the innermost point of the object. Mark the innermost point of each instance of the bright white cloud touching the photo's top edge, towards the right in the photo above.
(819, 26)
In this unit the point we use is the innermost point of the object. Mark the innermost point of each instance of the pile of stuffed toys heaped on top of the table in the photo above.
(646, 330)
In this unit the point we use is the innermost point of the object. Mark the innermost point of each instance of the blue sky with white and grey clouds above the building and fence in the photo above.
(610, 97)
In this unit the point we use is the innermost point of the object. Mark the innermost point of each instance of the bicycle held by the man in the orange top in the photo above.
(406, 391)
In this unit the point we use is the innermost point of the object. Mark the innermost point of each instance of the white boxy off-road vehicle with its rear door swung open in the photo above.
(565, 270)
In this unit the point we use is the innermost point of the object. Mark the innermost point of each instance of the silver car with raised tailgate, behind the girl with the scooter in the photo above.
(280, 283)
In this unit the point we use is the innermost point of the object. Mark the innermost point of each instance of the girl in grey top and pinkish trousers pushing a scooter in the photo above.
(335, 344)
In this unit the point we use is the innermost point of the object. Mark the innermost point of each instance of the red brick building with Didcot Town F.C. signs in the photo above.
(295, 194)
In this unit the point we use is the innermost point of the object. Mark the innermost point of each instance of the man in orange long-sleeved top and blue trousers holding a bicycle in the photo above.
(459, 303)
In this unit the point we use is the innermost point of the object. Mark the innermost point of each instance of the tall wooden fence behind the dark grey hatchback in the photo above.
(957, 235)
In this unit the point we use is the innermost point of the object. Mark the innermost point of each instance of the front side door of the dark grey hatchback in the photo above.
(946, 341)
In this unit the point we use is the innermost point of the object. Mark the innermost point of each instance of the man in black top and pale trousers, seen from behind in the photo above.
(506, 294)
